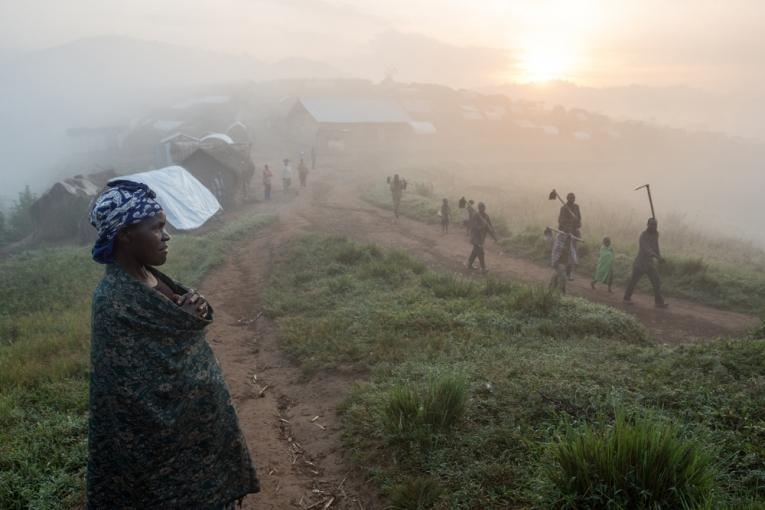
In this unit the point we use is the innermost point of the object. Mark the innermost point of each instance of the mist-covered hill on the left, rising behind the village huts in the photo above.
(107, 81)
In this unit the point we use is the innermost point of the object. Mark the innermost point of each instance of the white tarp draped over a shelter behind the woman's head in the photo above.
(187, 203)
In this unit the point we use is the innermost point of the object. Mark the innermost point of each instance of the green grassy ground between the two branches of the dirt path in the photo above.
(489, 395)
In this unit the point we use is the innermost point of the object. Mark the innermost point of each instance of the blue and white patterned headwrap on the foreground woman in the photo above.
(122, 203)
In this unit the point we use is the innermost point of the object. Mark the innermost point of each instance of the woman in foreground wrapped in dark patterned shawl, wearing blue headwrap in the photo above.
(163, 432)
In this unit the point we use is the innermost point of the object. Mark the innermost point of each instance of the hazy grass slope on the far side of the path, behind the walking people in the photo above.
(731, 276)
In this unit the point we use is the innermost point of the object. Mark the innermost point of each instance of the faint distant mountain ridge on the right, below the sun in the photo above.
(684, 107)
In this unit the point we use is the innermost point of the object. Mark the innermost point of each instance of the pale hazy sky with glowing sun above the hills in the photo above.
(710, 43)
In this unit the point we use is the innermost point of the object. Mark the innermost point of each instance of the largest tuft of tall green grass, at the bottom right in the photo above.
(642, 465)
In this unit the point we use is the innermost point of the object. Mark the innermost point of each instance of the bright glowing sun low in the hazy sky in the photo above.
(542, 61)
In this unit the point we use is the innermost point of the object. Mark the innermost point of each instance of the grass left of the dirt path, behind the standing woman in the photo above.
(44, 349)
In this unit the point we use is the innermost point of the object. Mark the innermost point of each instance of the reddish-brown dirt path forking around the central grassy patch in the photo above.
(291, 423)
